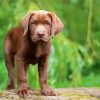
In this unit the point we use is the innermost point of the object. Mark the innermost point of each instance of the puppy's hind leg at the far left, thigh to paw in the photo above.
(9, 61)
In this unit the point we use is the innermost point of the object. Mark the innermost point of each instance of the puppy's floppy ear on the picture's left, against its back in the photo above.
(24, 22)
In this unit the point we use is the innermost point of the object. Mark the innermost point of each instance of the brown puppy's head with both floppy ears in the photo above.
(41, 25)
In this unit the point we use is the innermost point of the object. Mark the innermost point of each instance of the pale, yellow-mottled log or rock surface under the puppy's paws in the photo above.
(62, 94)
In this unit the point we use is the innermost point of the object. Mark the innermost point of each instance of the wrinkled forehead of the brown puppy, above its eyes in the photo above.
(40, 16)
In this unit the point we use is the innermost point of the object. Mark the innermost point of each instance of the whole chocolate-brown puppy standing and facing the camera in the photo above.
(29, 43)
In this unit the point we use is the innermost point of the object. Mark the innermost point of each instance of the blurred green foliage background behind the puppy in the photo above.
(75, 57)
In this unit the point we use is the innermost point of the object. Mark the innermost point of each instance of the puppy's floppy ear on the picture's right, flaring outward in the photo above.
(57, 25)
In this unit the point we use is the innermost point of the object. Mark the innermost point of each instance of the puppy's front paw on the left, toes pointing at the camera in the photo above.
(22, 90)
